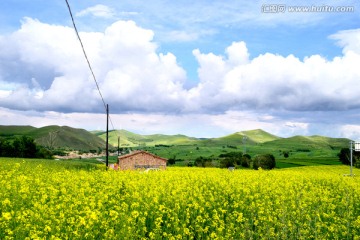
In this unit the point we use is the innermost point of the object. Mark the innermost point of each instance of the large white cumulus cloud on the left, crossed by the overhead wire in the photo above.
(50, 72)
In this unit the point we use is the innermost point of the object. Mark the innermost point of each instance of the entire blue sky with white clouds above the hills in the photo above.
(199, 68)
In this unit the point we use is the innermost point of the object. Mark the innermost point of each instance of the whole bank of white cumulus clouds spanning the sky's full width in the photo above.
(42, 68)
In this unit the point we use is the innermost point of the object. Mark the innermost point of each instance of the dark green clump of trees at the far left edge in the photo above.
(23, 147)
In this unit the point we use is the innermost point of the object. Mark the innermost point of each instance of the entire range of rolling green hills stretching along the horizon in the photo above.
(299, 148)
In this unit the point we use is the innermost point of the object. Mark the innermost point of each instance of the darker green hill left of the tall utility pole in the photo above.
(56, 136)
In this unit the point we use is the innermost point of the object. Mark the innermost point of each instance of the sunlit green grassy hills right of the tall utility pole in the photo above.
(300, 148)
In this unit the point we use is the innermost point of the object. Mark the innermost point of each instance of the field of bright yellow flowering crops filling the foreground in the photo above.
(57, 200)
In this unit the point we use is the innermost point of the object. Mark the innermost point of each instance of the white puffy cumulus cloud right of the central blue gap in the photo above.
(271, 81)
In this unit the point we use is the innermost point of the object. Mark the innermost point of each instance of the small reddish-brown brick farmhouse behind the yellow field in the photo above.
(141, 160)
